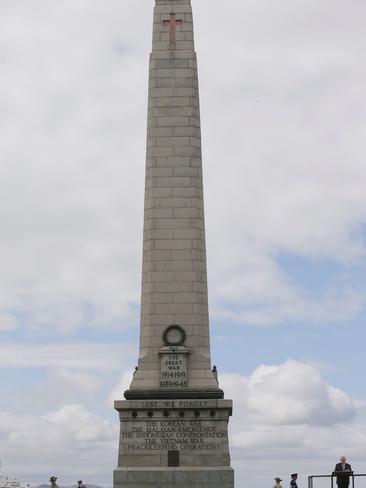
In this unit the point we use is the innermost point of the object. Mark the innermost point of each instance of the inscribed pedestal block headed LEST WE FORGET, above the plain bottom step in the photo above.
(196, 428)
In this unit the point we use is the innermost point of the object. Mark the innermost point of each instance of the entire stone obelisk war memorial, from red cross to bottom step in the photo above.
(174, 421)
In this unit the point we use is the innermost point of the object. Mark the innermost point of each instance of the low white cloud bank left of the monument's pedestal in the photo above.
(70, 440)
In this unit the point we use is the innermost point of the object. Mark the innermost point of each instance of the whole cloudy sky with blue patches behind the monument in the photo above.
(283, 123)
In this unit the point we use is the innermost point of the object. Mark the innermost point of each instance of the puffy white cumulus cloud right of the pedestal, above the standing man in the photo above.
(291, 407)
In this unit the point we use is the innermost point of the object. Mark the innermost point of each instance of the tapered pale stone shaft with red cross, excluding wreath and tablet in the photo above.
(174, 280)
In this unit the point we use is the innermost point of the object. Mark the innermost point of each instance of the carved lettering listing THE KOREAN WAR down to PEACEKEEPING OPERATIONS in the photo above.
(174, 434)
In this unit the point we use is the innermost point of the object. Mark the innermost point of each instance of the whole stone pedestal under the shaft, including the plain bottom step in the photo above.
(174, 444)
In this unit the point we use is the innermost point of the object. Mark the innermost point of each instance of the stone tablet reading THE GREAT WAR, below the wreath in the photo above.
(173, 373)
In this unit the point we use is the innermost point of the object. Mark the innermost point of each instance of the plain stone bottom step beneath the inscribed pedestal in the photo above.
(200, 477)
